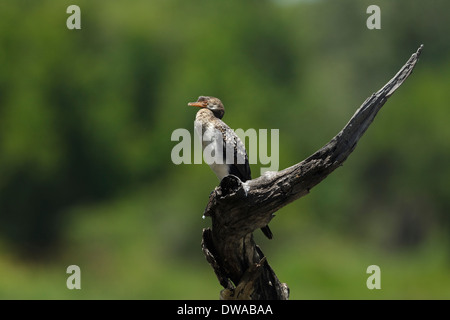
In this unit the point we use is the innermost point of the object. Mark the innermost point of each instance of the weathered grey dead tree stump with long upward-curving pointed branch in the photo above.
(237, 209)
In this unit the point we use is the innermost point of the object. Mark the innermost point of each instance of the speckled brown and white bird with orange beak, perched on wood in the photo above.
(222, 141)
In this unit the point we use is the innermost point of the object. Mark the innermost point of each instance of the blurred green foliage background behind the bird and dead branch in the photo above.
(86, 118)
